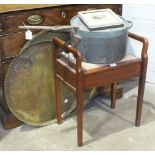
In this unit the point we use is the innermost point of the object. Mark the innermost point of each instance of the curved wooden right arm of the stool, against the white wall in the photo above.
(144, 42)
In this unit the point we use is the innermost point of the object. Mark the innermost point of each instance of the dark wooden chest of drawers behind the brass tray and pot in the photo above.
(12, 39)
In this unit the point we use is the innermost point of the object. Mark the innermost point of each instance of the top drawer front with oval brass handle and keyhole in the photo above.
(55, 16)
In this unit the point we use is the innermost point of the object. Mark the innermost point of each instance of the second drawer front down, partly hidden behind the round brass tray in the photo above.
(12, 44)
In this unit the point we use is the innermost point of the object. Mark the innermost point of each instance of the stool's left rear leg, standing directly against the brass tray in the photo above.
(58, 99)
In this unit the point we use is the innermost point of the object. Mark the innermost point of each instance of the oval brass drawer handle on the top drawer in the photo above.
(34, 19)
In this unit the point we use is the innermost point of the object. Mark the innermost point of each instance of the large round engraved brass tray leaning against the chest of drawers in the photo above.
(29, 83)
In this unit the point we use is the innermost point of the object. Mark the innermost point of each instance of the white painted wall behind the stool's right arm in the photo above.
(143, 17)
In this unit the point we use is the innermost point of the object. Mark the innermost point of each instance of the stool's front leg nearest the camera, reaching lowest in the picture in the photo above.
(80, 116)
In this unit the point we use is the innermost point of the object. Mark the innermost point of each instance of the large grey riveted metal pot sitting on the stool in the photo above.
(102, 46)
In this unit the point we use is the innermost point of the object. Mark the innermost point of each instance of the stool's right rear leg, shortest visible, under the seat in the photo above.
(113, 95)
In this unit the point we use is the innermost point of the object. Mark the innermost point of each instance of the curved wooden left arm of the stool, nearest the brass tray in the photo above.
(60, 43)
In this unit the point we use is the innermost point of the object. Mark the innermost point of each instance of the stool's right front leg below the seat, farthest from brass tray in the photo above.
(141, 87)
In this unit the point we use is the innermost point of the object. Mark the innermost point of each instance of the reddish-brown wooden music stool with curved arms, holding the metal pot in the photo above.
(81, 77)
